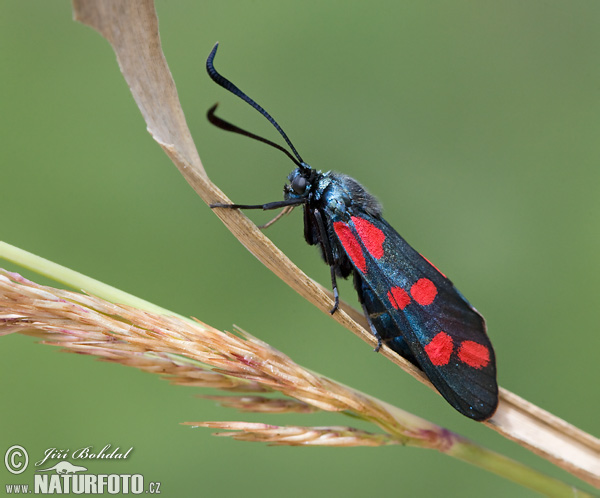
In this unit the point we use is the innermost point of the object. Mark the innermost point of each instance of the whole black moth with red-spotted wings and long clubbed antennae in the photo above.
(411, 306)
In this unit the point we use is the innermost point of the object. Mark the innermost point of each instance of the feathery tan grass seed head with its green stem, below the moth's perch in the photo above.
(190, 352)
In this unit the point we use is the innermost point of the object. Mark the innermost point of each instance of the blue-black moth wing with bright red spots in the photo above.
(419, 313)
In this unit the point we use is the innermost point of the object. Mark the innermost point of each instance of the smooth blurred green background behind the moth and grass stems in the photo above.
(476, 123)
